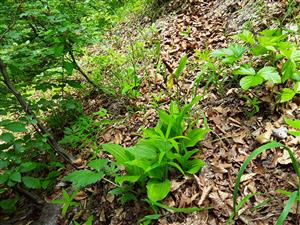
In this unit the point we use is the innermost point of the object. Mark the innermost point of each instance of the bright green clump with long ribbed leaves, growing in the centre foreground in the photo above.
(163, 148)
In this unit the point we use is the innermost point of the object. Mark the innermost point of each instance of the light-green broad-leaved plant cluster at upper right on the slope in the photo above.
(273, 60)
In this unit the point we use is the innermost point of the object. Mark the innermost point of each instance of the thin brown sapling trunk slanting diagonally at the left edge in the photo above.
(39, 127)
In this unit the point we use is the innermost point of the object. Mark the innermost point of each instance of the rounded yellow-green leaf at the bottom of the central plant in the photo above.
(158, 190)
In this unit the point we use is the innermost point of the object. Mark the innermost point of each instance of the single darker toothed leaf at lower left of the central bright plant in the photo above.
(83, 178)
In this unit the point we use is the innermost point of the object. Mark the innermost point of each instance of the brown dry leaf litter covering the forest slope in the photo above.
(185, 27)
